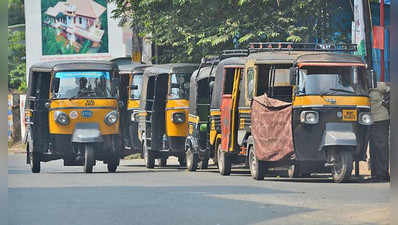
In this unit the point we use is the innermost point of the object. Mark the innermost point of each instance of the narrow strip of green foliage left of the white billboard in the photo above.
(16, 61)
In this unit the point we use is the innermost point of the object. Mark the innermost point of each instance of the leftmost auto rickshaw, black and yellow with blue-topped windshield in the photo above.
(72, 114)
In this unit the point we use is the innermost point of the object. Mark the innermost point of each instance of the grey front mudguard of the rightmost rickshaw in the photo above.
(339, 134)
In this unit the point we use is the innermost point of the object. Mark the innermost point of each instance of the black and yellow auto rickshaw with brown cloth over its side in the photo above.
(277, 124)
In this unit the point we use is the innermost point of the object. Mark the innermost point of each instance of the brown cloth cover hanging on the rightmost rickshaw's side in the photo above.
(271, 126)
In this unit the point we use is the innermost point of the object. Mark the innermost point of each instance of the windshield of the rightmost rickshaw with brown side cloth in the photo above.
(332, 81)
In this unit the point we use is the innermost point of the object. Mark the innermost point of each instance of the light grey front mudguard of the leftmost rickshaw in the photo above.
(87, 133)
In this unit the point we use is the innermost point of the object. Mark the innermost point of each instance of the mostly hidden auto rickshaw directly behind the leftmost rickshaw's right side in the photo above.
(131, 77)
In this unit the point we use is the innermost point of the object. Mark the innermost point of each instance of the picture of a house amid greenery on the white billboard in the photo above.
(74, 27)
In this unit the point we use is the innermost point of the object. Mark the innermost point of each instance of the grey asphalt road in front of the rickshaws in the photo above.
(135, 195)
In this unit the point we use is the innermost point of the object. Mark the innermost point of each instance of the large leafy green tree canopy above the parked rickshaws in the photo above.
(186, 30)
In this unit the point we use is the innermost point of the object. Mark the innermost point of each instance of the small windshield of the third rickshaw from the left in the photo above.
(179, 86)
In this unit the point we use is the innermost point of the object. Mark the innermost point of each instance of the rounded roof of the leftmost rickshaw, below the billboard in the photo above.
(74, 65)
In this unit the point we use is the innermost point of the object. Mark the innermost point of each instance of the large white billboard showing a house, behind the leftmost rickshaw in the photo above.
(74, 30)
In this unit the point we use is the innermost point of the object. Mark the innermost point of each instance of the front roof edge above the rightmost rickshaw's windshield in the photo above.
(329, 58)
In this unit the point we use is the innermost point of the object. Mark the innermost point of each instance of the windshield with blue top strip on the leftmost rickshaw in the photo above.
(81, 84)
